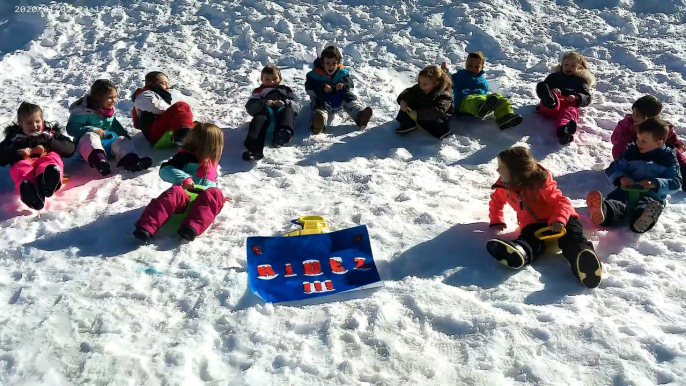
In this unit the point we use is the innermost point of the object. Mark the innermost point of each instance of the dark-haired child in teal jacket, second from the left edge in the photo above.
(90, 118)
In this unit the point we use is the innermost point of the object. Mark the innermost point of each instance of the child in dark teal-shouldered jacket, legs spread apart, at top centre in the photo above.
(328, 86)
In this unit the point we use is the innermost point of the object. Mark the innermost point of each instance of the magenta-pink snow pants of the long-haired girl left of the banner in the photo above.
(206, 207)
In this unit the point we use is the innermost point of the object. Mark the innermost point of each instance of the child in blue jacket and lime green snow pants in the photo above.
(470, 92)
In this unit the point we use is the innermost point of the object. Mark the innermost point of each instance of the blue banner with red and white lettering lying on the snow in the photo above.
(284, 269)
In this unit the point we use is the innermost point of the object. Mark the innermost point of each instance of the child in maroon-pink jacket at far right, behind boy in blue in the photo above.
(625, 133)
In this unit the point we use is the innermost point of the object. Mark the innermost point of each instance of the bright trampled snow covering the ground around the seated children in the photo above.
(76, 308)
